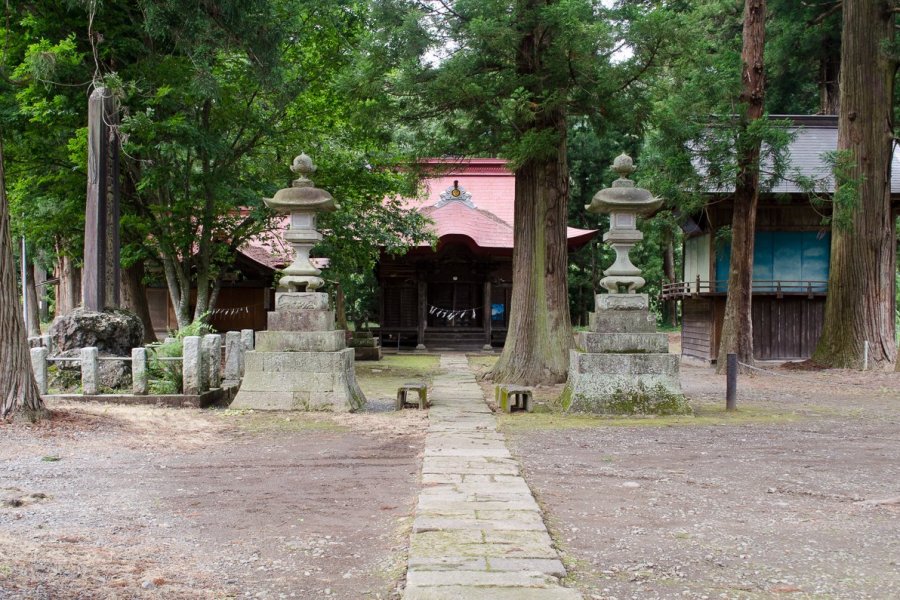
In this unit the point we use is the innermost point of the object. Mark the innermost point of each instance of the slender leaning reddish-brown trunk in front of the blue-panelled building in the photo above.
(737, 330)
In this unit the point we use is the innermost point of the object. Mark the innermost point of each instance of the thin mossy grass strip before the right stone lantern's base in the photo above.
(704, 416)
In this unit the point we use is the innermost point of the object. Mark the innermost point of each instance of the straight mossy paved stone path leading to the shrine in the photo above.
(478, 532)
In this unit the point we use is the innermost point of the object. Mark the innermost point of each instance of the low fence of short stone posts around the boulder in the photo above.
(201, 364)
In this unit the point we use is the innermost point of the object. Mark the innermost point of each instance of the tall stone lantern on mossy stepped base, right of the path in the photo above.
(622, 360)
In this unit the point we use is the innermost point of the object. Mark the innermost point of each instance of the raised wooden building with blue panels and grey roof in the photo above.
(790, 261)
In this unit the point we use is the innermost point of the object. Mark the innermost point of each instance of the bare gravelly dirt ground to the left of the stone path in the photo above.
(134, 502)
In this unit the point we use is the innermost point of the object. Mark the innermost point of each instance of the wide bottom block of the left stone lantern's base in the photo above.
(300, 381)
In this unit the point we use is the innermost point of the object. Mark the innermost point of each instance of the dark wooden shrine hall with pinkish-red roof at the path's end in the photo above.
(458, 294)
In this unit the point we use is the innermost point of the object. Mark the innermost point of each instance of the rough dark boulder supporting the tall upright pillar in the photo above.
(113, 332)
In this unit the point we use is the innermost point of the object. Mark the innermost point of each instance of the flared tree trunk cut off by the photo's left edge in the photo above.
(18, 390)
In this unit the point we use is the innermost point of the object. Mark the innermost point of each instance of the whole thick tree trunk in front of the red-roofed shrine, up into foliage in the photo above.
(540, 328)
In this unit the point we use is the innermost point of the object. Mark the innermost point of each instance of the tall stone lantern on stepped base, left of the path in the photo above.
(302, 362)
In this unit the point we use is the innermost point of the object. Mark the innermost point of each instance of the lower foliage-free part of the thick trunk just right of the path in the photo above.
(540, 331)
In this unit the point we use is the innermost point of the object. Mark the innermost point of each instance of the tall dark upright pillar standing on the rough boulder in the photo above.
(100, 287)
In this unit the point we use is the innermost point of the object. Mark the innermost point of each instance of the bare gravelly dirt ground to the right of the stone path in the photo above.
(797, 495)
